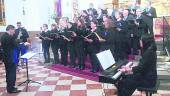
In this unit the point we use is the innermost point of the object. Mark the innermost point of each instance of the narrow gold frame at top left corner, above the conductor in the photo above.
(2, 13)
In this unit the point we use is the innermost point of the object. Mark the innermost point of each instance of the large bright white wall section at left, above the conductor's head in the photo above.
(37, 12)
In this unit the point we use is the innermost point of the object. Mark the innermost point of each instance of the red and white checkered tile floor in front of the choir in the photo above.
(55, 83)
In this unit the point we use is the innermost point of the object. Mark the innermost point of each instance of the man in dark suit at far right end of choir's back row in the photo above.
(150, 13)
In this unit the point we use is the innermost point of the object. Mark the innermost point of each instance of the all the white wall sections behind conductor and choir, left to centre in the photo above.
(38, 12)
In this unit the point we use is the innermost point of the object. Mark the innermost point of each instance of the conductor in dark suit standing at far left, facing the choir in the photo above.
(8, 45)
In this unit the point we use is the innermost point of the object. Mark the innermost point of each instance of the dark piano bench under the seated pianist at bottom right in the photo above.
(150, 91)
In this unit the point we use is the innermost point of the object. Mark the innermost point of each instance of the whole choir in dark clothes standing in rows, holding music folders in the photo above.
(95, 31)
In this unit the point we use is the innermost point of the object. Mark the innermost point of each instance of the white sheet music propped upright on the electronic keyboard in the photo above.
(106, 59)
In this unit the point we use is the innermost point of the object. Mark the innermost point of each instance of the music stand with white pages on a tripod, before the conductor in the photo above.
(27, 56)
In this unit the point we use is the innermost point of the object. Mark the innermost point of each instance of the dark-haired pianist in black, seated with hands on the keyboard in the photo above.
(142, 75)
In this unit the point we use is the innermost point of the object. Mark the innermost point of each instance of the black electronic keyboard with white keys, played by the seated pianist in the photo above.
(112, 75)
